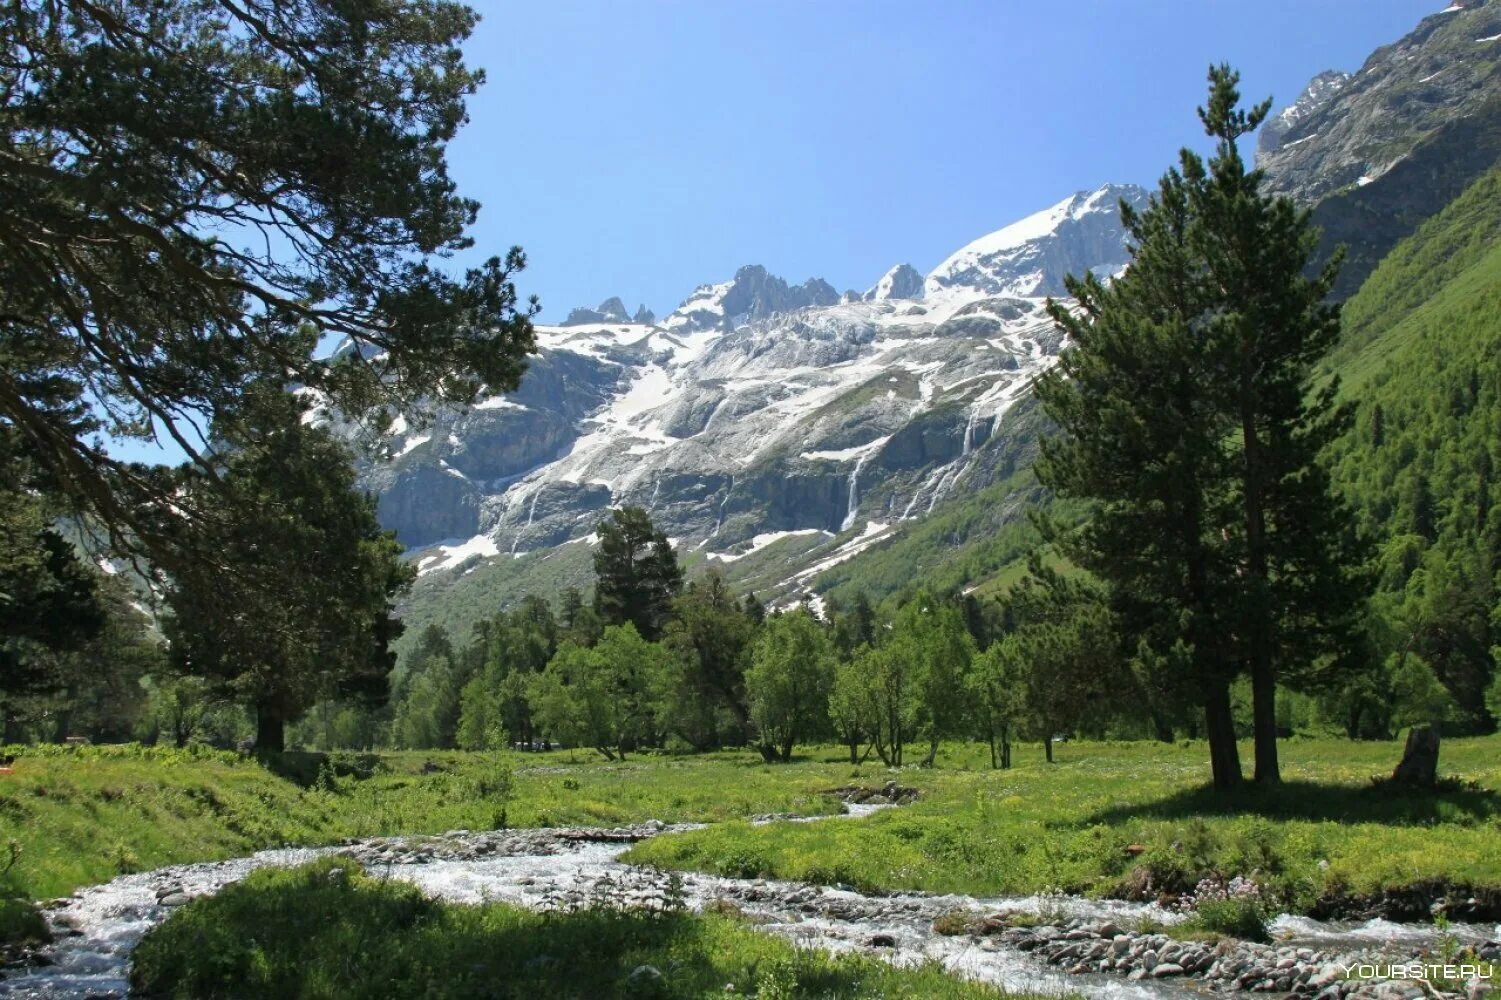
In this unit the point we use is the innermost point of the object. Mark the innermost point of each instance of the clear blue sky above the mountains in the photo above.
(640, 149)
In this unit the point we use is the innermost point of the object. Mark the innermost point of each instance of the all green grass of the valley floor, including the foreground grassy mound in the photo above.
(1120, 821)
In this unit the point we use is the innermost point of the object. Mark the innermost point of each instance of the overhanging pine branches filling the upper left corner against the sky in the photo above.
(197, 196)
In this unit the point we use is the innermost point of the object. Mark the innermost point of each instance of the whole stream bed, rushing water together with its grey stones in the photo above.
(1099, 948)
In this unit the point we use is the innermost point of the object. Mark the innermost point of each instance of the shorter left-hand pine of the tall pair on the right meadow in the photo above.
(1143, 439)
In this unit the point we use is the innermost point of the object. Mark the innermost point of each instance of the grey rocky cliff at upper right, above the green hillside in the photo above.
(1377, 152)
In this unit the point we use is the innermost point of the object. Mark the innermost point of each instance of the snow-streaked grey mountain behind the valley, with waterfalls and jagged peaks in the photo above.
(757, 411)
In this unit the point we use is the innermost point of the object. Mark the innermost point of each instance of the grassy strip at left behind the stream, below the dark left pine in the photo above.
(85, 816)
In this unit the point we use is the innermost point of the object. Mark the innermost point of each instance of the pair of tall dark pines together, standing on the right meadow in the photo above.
(1190, 417)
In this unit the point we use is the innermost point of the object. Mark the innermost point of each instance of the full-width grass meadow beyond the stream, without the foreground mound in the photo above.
(1108, 819)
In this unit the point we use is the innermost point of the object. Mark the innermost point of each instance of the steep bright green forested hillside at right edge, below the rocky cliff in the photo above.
(1424, 361)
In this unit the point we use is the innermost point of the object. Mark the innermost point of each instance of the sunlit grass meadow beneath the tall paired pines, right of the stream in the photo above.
(1139, 821)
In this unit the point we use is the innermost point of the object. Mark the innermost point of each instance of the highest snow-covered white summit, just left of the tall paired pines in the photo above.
(1032, 258)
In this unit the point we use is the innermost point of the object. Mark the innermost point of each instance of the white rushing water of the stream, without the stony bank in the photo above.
(561, 870)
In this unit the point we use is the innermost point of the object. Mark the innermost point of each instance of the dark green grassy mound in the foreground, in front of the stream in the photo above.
(326, 930)
